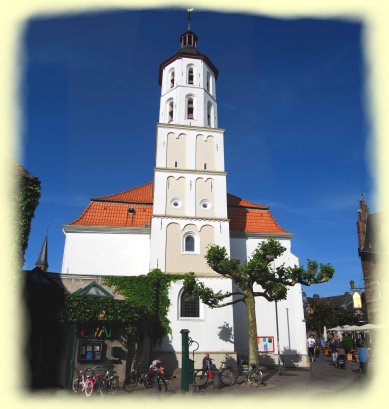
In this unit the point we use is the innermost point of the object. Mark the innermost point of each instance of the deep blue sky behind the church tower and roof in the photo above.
(291, 96)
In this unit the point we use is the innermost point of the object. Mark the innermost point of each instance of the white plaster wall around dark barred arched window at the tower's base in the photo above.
(209, 330)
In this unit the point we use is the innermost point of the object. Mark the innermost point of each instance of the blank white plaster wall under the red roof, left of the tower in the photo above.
(106, 254)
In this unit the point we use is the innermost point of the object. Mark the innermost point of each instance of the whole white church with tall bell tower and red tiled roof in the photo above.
(170, 222)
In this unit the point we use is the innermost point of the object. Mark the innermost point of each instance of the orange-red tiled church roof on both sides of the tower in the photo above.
(112, 211)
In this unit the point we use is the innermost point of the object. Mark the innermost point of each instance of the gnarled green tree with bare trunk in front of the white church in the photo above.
(273, 282)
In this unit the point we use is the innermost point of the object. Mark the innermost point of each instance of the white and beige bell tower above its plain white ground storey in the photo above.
(190, 196)
